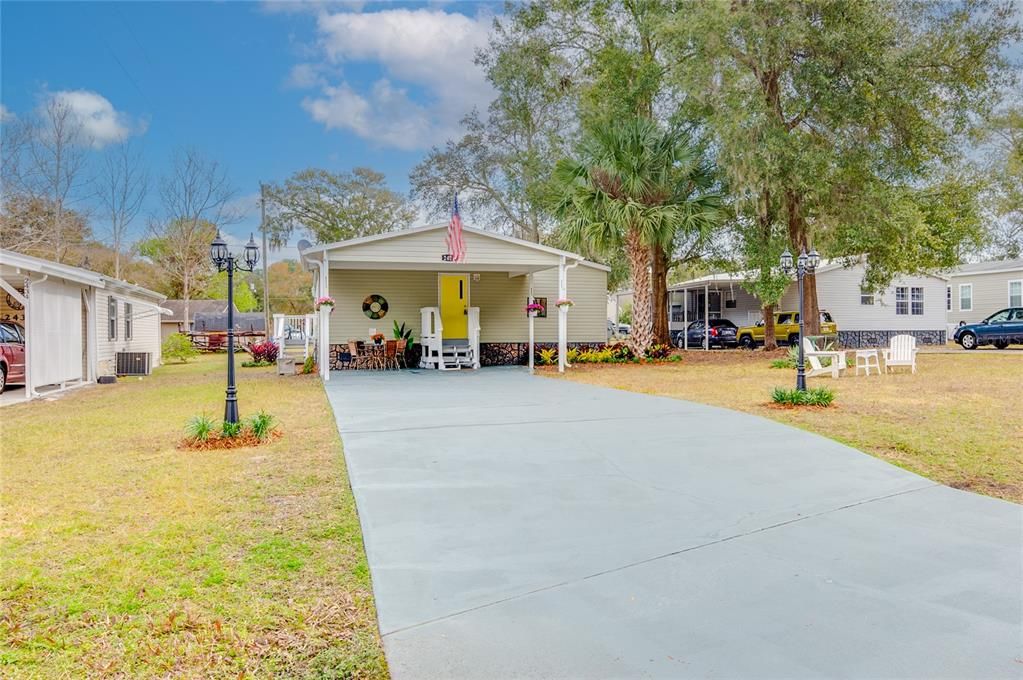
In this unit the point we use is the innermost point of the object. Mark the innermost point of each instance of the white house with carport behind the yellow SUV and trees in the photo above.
(912, 305)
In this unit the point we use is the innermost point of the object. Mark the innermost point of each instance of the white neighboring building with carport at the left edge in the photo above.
(76, 322)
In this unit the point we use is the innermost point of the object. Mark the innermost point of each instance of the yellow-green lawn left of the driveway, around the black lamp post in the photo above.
(124, 556)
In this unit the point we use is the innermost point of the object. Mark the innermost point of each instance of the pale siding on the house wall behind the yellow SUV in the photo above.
(838, 293)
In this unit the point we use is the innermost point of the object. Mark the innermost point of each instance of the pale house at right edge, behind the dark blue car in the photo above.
(978, 291)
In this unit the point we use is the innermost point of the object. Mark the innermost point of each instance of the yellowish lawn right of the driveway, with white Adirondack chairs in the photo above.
(956, 421)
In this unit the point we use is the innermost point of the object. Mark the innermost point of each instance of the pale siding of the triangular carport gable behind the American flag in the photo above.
(428, 247)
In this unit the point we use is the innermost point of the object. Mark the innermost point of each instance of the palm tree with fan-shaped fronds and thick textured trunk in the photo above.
(634, 186)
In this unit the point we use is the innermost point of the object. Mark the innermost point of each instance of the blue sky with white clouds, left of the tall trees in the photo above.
(266, 89)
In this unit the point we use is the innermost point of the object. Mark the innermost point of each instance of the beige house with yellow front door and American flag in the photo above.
(394, 278)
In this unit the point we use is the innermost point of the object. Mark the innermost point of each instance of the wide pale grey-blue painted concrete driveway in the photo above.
(524, 527)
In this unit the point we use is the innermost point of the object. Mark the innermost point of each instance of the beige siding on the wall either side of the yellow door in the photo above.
(502, 301)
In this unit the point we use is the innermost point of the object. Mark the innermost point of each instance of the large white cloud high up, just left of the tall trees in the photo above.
(428, 52)
